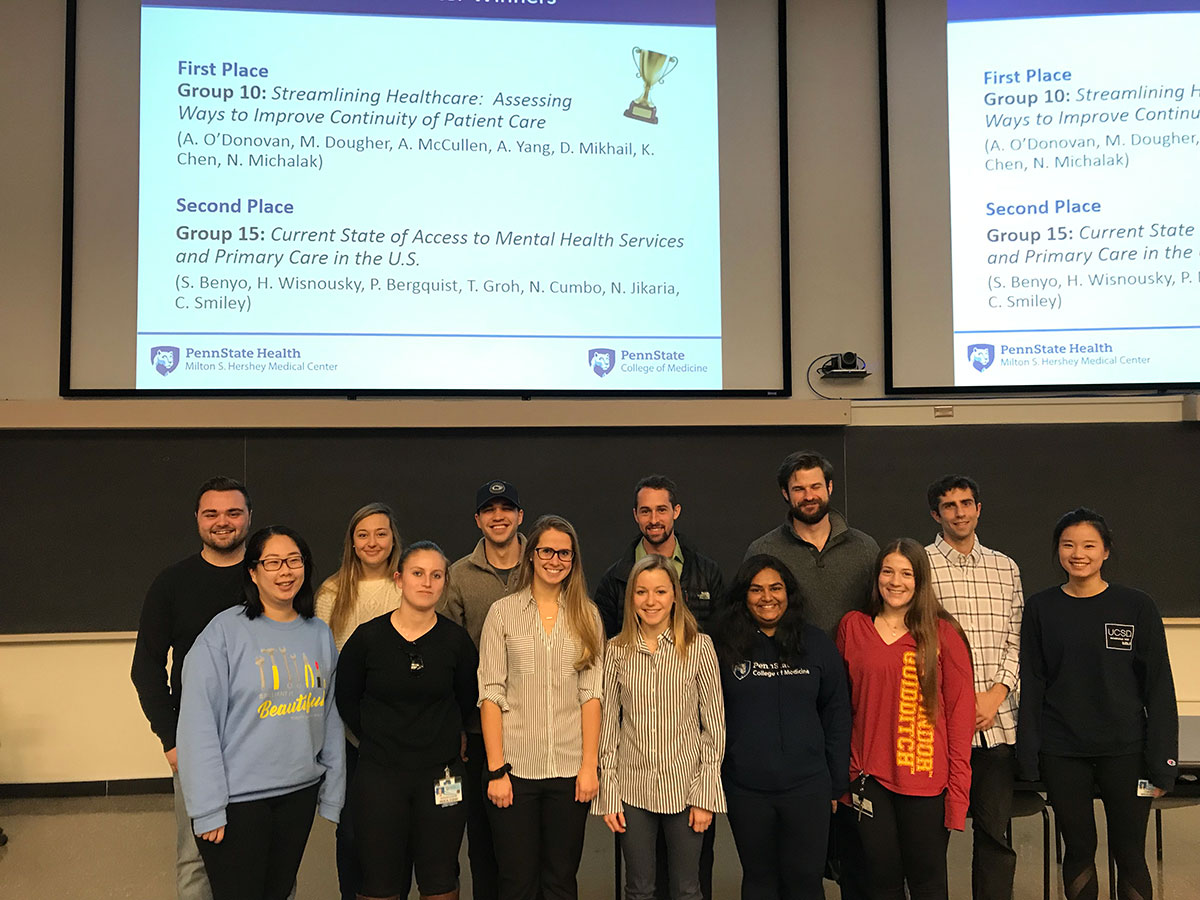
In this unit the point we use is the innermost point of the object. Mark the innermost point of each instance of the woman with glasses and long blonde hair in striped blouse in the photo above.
(541, 688)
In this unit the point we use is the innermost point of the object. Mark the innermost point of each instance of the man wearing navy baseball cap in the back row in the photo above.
(476, 583)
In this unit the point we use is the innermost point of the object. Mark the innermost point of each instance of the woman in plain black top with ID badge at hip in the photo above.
(406, 682)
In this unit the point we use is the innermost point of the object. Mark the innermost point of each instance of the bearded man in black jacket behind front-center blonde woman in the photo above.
(656, 511)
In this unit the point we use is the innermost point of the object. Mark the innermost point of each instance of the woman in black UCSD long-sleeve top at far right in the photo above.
(1097, 709)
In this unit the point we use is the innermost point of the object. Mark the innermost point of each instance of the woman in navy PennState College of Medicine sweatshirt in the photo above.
(788, 733)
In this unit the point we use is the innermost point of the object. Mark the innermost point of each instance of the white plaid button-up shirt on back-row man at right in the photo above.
(982, 590)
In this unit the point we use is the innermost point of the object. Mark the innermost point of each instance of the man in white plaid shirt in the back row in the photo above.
(982, 590)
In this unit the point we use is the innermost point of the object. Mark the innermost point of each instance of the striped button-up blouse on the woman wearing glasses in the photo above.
(531, 676)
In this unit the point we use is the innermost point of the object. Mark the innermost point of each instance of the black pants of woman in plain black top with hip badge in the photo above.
(399, 827)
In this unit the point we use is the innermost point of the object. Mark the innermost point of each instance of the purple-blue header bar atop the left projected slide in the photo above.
(661, 13)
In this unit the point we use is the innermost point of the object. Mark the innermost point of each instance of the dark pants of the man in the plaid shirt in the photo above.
(993, 861)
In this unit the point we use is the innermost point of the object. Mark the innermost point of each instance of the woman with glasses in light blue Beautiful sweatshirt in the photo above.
(261, 745)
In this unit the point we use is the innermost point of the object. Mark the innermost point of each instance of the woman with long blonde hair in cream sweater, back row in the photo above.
(363, 589)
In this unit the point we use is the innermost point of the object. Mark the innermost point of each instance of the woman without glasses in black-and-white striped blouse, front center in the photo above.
(663, 735)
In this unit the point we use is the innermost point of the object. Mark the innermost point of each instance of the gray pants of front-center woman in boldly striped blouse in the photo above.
(638, 845)
